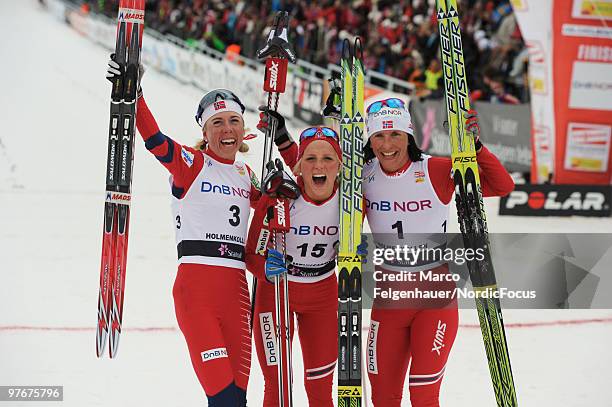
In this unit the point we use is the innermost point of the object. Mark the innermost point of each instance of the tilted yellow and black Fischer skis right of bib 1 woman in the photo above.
(469, 202)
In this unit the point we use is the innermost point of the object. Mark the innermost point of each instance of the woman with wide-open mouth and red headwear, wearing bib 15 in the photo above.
(313, 287)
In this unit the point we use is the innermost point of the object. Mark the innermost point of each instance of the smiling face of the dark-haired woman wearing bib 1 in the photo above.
(390, 148)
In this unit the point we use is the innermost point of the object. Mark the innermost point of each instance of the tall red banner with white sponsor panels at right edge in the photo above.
(582, 65)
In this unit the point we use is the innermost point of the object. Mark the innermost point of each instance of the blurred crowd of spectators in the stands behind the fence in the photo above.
(400, 36)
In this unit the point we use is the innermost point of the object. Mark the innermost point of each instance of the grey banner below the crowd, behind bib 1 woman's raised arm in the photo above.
(505, 130)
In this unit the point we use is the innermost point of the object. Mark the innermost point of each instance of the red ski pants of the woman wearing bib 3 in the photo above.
(213, 309)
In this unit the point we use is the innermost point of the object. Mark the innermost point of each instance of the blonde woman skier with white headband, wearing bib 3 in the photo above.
(212, 194)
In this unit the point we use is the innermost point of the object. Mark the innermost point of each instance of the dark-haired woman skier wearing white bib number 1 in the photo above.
(407, 196)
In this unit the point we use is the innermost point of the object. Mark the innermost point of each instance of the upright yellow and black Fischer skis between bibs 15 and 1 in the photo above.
(351, 217)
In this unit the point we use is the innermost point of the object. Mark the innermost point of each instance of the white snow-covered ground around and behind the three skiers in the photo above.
(54, 113)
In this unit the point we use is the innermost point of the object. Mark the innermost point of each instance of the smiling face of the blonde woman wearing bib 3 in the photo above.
(224, 133)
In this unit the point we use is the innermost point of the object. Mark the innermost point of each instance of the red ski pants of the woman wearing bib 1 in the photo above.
(400, 337)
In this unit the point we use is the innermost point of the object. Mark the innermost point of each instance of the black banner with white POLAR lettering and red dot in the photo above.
(557, 200)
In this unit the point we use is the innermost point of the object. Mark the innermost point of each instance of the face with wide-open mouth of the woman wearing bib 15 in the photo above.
(319, 166)
